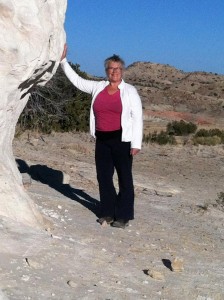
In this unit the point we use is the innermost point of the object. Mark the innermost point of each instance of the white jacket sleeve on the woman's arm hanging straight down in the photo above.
(137, 119)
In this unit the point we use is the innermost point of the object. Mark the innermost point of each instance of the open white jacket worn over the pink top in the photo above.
(131, 116)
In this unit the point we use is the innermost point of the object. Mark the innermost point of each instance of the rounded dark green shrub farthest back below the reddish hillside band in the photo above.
(181, 128)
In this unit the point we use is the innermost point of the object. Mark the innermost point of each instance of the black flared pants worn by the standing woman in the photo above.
(112, 154)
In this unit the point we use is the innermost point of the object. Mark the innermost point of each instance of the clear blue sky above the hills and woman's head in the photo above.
(186, 34)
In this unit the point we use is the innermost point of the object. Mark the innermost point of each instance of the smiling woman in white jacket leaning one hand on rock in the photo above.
(116, 123)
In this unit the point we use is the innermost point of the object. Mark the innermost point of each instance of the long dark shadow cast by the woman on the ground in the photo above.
(54, 178)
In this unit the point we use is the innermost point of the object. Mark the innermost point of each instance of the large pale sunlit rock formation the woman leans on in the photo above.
(31, 42)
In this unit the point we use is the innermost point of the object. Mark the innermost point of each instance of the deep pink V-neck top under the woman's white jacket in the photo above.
(107, 109)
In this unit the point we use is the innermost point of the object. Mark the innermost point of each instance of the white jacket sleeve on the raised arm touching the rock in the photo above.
(84, 85)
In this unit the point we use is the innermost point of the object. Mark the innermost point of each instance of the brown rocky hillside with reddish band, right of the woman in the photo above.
(171, 94)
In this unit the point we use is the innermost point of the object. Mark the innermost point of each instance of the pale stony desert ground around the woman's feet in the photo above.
(172, 250)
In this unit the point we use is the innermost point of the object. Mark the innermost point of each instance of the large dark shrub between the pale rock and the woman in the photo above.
(57, 106)
